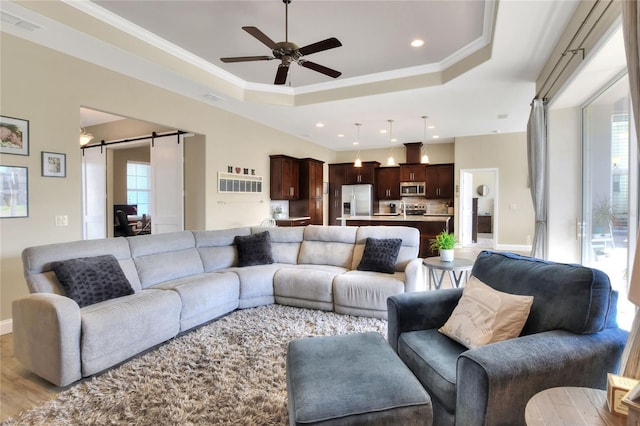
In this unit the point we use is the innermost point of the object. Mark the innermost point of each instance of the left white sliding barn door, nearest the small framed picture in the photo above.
(94, 193)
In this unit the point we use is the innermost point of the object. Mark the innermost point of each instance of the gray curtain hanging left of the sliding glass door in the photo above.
(537, 150)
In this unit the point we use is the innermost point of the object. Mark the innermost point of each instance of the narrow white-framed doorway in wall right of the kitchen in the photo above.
(478, 212)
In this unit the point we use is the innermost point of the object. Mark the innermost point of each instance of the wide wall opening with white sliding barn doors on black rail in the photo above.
(105, 170)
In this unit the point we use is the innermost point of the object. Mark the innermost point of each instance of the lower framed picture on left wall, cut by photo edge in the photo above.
(15, 192)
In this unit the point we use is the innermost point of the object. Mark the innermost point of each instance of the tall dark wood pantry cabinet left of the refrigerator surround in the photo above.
(309, 202)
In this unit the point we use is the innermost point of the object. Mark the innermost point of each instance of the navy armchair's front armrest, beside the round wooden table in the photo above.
(497, 380)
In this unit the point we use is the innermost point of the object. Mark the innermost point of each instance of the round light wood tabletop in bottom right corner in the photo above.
(570, 406)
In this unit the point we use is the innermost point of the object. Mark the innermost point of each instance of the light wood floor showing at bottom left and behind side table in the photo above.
(22, 390)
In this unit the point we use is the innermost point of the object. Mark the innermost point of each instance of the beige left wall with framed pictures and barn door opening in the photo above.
(48, 88)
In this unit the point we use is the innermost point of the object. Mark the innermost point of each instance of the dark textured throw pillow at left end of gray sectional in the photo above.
(90, 280)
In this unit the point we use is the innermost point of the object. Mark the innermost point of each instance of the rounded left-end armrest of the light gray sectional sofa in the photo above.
(46, 336)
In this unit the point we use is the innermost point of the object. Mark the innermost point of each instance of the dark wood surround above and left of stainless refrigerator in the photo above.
(345, 174)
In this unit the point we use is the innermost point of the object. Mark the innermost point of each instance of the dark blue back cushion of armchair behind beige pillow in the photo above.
(567, 297)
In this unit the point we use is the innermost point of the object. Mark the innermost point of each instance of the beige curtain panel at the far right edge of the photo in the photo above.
(630, 366)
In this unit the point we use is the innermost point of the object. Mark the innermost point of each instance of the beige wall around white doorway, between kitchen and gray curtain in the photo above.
(508, 154)
